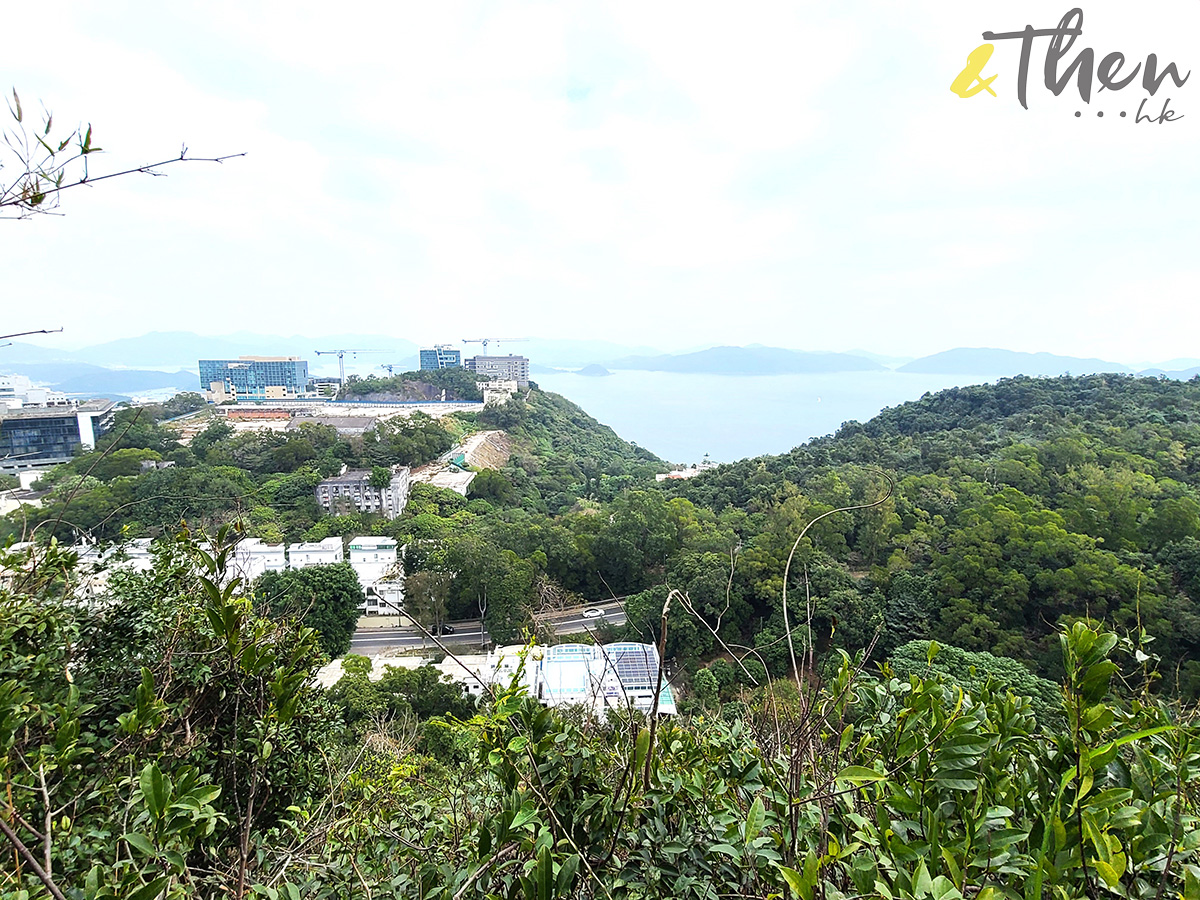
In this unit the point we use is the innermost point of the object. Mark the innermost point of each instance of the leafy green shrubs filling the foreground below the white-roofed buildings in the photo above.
(171, 743)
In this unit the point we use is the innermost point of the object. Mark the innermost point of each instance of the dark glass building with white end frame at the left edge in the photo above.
(38, 437)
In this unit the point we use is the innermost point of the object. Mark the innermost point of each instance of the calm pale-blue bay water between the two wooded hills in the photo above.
(682, 417)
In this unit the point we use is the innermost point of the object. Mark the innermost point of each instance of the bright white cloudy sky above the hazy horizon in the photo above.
(668, 175)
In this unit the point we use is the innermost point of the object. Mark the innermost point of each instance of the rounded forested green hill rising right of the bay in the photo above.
(1018, 507)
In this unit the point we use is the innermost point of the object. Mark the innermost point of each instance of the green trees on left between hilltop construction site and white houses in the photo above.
(265, 478)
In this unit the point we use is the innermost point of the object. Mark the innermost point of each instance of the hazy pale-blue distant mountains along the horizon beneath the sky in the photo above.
(169, 359)
